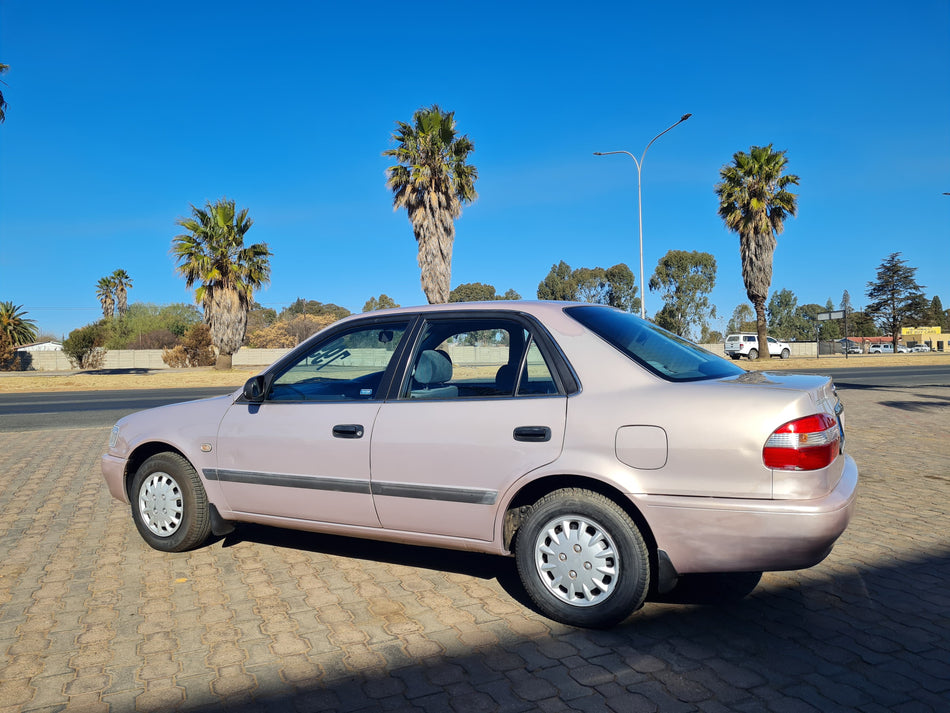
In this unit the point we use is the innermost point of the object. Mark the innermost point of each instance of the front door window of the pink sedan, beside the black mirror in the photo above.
(346, 367)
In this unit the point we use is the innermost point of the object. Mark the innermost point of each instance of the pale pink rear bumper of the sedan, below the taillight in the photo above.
(733, 535)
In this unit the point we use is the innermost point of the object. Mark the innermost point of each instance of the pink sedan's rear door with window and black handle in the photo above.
(479, 408)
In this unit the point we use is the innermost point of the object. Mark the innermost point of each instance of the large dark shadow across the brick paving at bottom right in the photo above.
(854, 641)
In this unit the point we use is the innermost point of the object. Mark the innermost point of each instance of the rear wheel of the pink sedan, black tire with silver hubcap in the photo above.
(561, 574)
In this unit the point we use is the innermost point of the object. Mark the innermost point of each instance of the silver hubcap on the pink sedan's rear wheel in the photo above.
(577, 560)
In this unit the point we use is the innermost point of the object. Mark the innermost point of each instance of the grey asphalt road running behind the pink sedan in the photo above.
(90, 409)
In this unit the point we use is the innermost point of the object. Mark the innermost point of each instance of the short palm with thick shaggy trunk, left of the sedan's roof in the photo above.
(212, 255)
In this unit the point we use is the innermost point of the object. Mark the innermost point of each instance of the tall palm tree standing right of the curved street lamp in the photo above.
(754, 202)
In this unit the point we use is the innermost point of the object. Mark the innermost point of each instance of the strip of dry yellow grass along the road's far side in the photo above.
(188, 378)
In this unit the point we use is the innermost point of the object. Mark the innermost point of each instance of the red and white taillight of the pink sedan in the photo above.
(806, 443)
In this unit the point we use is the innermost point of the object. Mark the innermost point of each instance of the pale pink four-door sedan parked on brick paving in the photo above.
(588, 444)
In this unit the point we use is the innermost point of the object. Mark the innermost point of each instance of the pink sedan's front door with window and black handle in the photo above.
(304, 452)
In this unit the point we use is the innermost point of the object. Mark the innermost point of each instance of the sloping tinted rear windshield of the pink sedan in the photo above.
(663, 353)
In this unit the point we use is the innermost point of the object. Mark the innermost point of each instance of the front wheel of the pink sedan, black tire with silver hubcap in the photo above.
(169, 504)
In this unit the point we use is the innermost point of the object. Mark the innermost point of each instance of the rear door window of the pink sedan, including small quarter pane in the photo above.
(476, 358)
